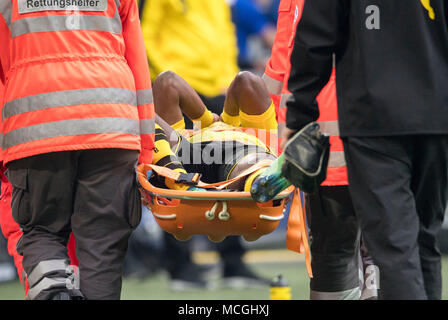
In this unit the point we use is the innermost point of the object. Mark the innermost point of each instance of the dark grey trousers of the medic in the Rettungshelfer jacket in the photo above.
(90, 192)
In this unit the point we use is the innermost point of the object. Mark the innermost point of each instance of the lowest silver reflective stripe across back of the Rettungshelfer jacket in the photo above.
(70, 128)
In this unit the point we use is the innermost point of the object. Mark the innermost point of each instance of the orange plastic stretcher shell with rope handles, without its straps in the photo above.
(216, 214)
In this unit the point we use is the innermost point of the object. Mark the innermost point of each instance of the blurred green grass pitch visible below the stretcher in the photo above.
(156, 287)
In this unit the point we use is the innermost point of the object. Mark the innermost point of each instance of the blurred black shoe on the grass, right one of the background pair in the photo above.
(242, 277)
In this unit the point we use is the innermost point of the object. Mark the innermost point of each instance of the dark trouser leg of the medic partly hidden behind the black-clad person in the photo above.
(335, 243)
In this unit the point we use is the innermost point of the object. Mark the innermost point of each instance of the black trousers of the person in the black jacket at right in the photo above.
(399, 190)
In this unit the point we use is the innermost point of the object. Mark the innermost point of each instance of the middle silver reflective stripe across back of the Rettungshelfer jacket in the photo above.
(69, 98)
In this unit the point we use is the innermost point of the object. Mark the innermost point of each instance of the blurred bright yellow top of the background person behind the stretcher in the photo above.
(193, 38)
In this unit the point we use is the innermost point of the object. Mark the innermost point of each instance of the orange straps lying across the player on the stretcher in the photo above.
(175, 175)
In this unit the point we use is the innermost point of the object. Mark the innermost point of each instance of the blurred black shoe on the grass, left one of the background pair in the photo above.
(189, 277)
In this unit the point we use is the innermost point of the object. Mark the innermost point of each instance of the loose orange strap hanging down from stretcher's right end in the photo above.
(296, 234)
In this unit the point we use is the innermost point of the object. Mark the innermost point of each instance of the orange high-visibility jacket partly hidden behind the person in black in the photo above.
(276, 78)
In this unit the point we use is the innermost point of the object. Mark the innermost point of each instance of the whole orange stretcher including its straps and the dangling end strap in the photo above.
(217, 213)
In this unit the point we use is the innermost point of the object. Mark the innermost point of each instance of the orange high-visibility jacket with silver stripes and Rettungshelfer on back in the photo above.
(77, 77)
